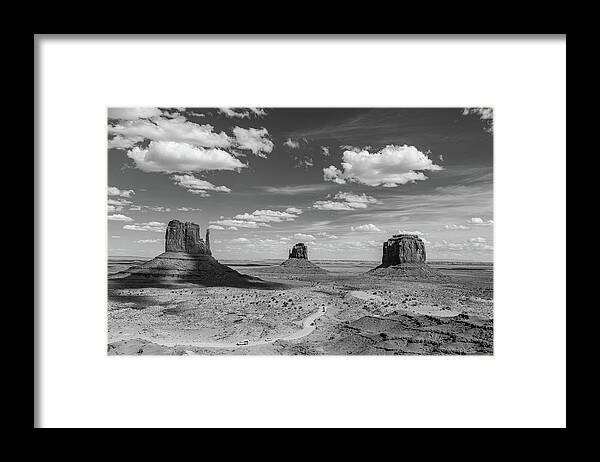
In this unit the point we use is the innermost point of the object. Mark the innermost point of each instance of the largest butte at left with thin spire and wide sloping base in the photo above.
(187, 258)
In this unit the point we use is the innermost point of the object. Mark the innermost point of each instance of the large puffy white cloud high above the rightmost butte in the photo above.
(390, 167)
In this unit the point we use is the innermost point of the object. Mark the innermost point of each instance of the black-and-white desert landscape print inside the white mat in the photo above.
(300, 231)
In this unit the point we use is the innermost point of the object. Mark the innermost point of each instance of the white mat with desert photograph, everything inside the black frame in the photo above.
(229, 228)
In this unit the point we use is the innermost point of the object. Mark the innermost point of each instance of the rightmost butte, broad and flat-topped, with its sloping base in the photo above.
(404, 255)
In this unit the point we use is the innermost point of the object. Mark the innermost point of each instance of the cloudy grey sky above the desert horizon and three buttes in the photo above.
(341, 180)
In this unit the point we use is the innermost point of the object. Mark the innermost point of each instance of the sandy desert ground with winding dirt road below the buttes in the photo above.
(341, 312)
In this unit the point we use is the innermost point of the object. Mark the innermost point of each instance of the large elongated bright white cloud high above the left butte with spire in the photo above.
(170, 157)
